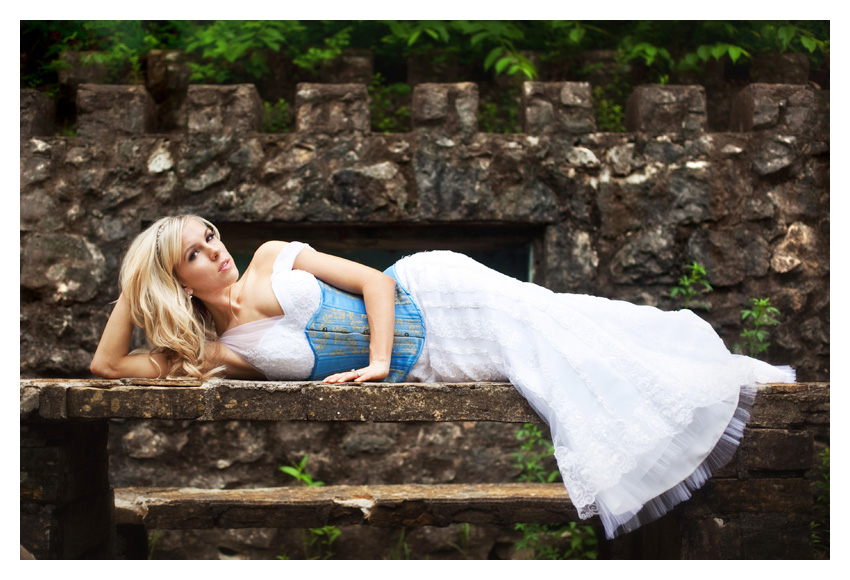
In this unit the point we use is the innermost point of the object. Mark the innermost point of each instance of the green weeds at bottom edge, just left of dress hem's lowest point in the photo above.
(555, 542)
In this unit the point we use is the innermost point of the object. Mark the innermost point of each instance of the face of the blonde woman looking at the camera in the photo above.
(205, 265)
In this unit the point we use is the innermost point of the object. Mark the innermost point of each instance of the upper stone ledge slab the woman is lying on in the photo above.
(780, 406)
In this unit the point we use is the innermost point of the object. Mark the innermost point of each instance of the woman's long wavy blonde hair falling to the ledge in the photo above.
(175, 324)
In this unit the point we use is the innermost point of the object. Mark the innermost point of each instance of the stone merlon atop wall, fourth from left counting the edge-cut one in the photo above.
(332, 109)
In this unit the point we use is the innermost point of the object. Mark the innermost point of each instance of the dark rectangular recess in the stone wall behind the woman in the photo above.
(507, 248)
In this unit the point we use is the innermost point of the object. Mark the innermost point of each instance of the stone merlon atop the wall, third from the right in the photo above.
(557, 109)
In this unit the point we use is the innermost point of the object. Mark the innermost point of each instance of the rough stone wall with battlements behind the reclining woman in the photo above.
(613, 214)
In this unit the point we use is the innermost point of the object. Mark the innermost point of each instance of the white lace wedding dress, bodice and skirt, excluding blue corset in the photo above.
(642, 404)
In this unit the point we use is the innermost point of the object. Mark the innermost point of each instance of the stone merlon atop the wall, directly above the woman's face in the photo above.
(224, 109)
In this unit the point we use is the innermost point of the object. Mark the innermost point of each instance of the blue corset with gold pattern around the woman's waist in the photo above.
(339, 333)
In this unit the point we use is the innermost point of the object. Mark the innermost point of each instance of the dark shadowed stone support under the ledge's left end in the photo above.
(66, 500)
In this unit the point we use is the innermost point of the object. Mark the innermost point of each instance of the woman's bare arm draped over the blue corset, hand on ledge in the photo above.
(378, 291)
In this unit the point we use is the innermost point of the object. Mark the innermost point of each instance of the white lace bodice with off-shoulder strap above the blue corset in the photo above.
(277, 346)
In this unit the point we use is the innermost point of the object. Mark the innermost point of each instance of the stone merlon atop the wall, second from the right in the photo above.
(677, 111)
